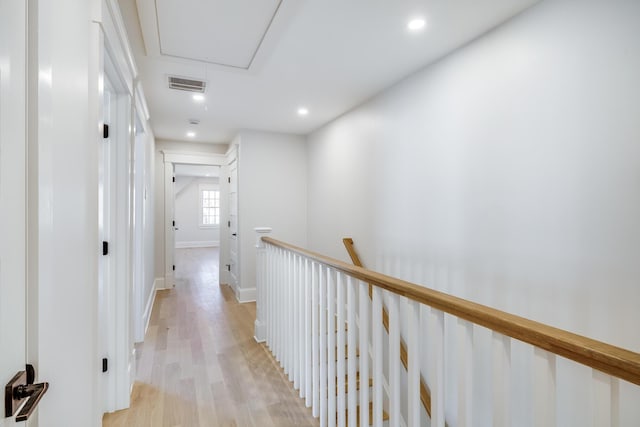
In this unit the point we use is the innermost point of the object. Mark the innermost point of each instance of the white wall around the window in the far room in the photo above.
(190, 233)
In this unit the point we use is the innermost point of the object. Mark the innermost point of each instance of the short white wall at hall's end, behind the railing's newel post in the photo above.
(272, 177)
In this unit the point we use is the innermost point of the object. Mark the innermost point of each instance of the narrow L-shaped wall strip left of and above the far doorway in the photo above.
(159, 220)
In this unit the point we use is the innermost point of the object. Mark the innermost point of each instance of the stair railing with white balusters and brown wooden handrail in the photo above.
(305, 298)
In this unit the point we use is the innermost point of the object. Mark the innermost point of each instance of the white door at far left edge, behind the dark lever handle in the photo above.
(12, 193)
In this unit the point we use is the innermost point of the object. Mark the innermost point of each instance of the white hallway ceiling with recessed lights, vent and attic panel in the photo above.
(264, 59)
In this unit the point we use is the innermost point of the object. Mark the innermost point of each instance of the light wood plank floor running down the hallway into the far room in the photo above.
(199, 364)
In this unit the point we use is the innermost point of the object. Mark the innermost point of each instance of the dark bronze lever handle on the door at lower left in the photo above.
(22, 392)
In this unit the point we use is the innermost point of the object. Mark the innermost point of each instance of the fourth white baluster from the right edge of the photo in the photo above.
(465, 373)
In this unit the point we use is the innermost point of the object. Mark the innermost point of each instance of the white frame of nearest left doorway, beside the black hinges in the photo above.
(116, 64)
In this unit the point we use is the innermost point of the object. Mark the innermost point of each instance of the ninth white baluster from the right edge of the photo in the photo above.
(365, 321)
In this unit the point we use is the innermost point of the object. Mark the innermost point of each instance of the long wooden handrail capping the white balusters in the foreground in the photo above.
(612, 360)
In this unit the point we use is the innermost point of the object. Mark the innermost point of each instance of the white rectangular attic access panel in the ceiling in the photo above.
(223, 32)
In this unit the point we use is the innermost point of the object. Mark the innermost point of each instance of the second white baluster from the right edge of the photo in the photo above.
(544, 388)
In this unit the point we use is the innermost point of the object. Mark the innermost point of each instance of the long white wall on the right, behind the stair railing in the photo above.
(506, 173)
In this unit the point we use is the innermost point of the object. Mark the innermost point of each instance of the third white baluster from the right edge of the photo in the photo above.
(501, 398)
